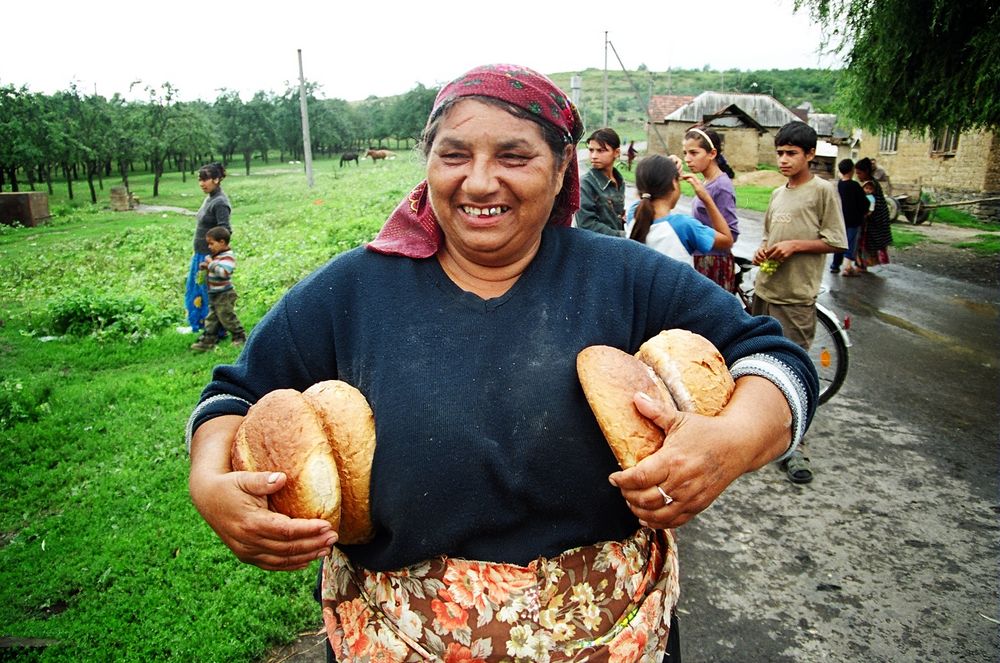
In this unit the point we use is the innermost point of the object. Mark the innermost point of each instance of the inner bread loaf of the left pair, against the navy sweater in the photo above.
(350, 428)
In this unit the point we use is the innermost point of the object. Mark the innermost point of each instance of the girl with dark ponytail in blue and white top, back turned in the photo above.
(652, 222)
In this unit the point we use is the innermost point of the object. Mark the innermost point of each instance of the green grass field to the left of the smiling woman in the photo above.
(100, 548)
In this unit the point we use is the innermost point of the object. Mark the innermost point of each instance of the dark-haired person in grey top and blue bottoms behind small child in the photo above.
(214, 212)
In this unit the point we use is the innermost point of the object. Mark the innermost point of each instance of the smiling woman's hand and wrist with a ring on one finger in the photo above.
(702, 455)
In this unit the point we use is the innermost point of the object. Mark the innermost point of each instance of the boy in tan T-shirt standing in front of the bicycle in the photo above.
(802, 223)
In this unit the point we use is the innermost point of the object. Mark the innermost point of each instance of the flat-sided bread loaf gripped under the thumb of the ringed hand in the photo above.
(610, 379)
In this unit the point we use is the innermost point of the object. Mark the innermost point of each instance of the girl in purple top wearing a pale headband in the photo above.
(703, 154)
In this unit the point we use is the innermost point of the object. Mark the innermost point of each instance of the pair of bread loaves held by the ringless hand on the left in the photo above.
(323, 439)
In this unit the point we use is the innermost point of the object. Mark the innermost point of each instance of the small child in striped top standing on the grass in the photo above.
(221, 293)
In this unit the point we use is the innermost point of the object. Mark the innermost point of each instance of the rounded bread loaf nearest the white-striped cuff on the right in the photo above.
(691, 368)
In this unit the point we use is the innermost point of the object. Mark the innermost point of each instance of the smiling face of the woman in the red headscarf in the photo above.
(492, 180)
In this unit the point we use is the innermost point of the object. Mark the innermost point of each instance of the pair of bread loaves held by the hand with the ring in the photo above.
(675, 366)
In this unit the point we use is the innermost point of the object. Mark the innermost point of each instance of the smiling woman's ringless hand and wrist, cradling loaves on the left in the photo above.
(234, 504)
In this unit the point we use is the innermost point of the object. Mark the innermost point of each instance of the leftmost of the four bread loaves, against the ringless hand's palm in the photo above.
(282, 432)
